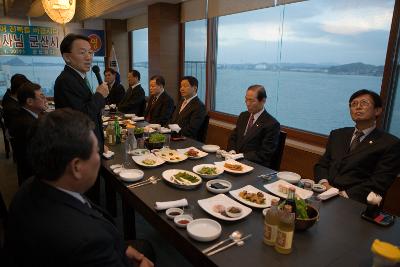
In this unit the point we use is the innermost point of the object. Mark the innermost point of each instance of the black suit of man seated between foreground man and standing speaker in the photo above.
(20, 130)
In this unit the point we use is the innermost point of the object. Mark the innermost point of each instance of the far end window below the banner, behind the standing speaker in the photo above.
(42, 70)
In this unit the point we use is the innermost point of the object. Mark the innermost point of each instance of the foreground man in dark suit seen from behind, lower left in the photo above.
(50, 221)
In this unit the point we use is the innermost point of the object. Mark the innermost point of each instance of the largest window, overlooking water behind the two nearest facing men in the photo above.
(311, 56)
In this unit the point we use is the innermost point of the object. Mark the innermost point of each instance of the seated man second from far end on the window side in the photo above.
(134, 100)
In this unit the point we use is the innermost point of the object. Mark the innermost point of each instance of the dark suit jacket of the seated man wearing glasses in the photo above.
(371, 166)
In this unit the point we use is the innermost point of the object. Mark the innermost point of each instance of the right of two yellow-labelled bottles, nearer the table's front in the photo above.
(284, 236)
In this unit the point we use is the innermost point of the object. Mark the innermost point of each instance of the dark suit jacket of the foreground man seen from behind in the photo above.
(53, 228)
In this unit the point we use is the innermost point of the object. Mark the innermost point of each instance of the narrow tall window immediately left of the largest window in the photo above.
(195, 53)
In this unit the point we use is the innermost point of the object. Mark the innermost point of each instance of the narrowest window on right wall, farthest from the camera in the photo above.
(140, 53)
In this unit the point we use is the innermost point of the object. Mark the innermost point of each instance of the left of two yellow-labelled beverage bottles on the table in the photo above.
(271, 222)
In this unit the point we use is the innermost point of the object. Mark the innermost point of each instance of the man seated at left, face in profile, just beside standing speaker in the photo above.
(33, 102)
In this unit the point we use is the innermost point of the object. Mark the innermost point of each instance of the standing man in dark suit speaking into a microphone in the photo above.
(72, 88)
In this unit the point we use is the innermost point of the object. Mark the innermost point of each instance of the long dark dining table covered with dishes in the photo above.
(339, 238)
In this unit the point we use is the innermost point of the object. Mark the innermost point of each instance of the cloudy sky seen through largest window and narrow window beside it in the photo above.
(315, 31)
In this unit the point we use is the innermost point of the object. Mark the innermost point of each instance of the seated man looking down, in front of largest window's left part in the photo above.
(257, 133)
